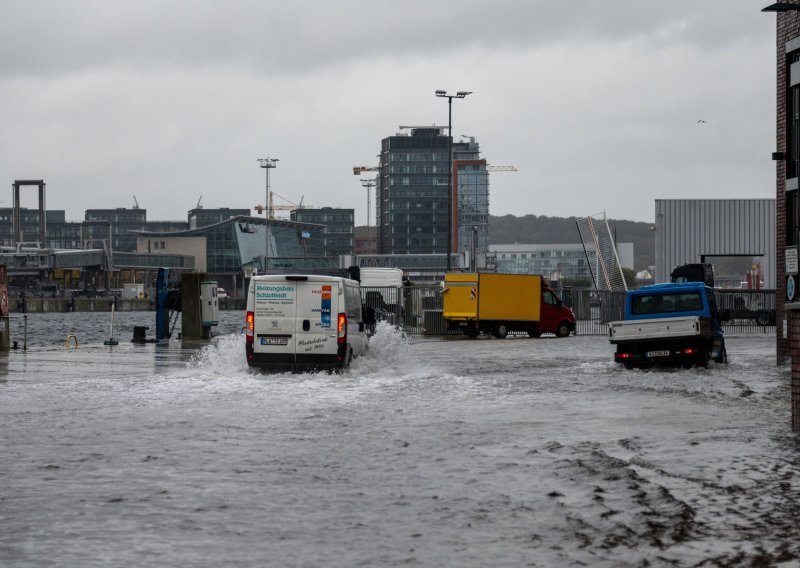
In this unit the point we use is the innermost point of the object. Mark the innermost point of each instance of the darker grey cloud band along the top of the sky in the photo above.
(50, 38)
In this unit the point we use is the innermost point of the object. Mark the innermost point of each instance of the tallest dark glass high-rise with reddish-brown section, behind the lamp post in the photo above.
(412, 196)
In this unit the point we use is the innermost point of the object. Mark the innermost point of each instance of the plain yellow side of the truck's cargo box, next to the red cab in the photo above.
(509, 297)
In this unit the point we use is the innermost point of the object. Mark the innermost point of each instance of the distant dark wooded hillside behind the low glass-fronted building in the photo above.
(533, 229)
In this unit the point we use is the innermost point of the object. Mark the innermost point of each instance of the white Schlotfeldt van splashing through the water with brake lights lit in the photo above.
(303, 322)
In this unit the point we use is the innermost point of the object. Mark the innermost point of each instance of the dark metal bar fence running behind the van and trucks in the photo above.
(417, 309)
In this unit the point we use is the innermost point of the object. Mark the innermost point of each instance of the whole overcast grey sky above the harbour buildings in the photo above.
(596, 103)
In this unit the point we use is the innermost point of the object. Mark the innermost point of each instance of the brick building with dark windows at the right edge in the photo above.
(787, 158)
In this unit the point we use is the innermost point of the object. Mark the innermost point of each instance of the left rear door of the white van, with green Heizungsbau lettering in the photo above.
(275, 307)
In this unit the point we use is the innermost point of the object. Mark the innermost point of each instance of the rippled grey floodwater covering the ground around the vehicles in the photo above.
(428, 452)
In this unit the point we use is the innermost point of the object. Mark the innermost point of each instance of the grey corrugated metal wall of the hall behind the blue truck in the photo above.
(686, 229)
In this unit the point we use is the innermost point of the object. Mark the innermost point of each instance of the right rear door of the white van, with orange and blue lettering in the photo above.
(317, 318)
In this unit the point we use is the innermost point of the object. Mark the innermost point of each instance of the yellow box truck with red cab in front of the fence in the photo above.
(497, 304)
